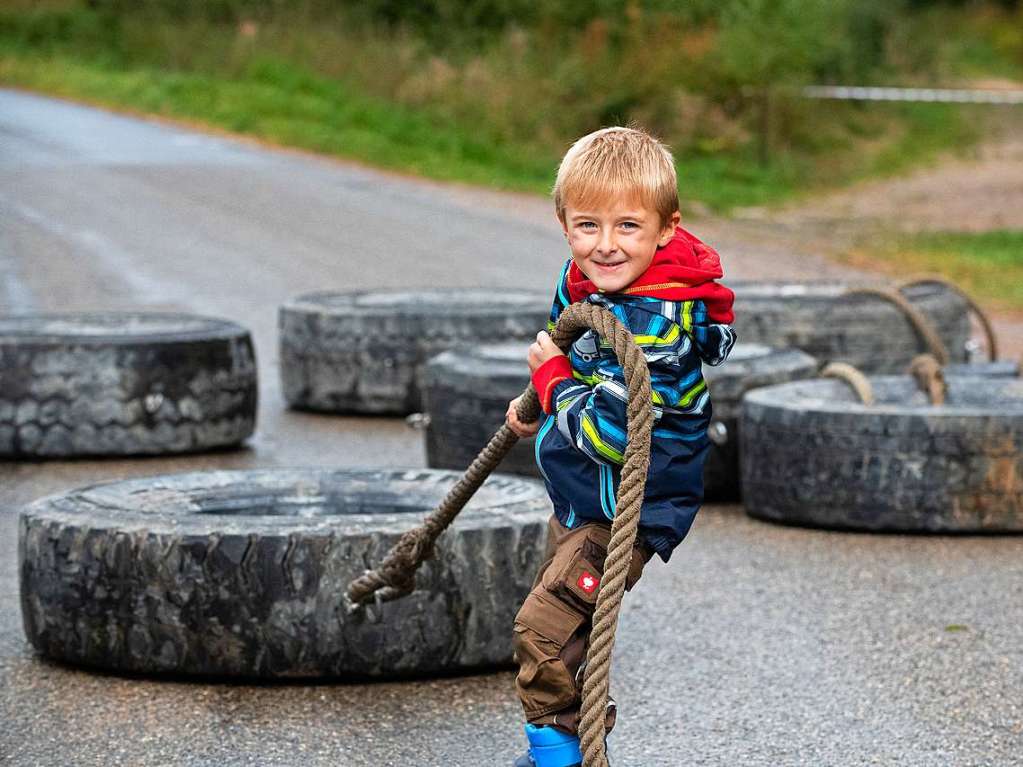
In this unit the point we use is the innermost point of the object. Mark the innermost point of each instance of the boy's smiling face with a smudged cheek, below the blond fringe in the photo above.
(614, 243)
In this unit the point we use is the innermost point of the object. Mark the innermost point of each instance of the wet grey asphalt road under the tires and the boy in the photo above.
(757, 646)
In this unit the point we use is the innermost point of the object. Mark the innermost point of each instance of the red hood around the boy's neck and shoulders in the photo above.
(683, 270)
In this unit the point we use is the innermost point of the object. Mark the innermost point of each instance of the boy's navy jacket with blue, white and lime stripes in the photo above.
(581, 443)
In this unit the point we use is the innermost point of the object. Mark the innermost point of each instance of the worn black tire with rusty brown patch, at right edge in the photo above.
(812, 455)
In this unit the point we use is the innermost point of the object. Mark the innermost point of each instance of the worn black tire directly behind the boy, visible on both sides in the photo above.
(467, 395)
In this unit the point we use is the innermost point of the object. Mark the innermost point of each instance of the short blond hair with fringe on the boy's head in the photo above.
(617, 163)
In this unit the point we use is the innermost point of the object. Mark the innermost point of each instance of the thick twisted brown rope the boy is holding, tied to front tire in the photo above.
(396, 576)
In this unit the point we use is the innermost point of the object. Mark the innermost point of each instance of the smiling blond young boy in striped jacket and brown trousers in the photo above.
(617, 200)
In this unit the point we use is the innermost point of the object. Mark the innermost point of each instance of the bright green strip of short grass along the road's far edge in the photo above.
(276, 102)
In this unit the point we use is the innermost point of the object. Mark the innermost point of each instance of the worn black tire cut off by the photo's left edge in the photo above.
(117, 385)
